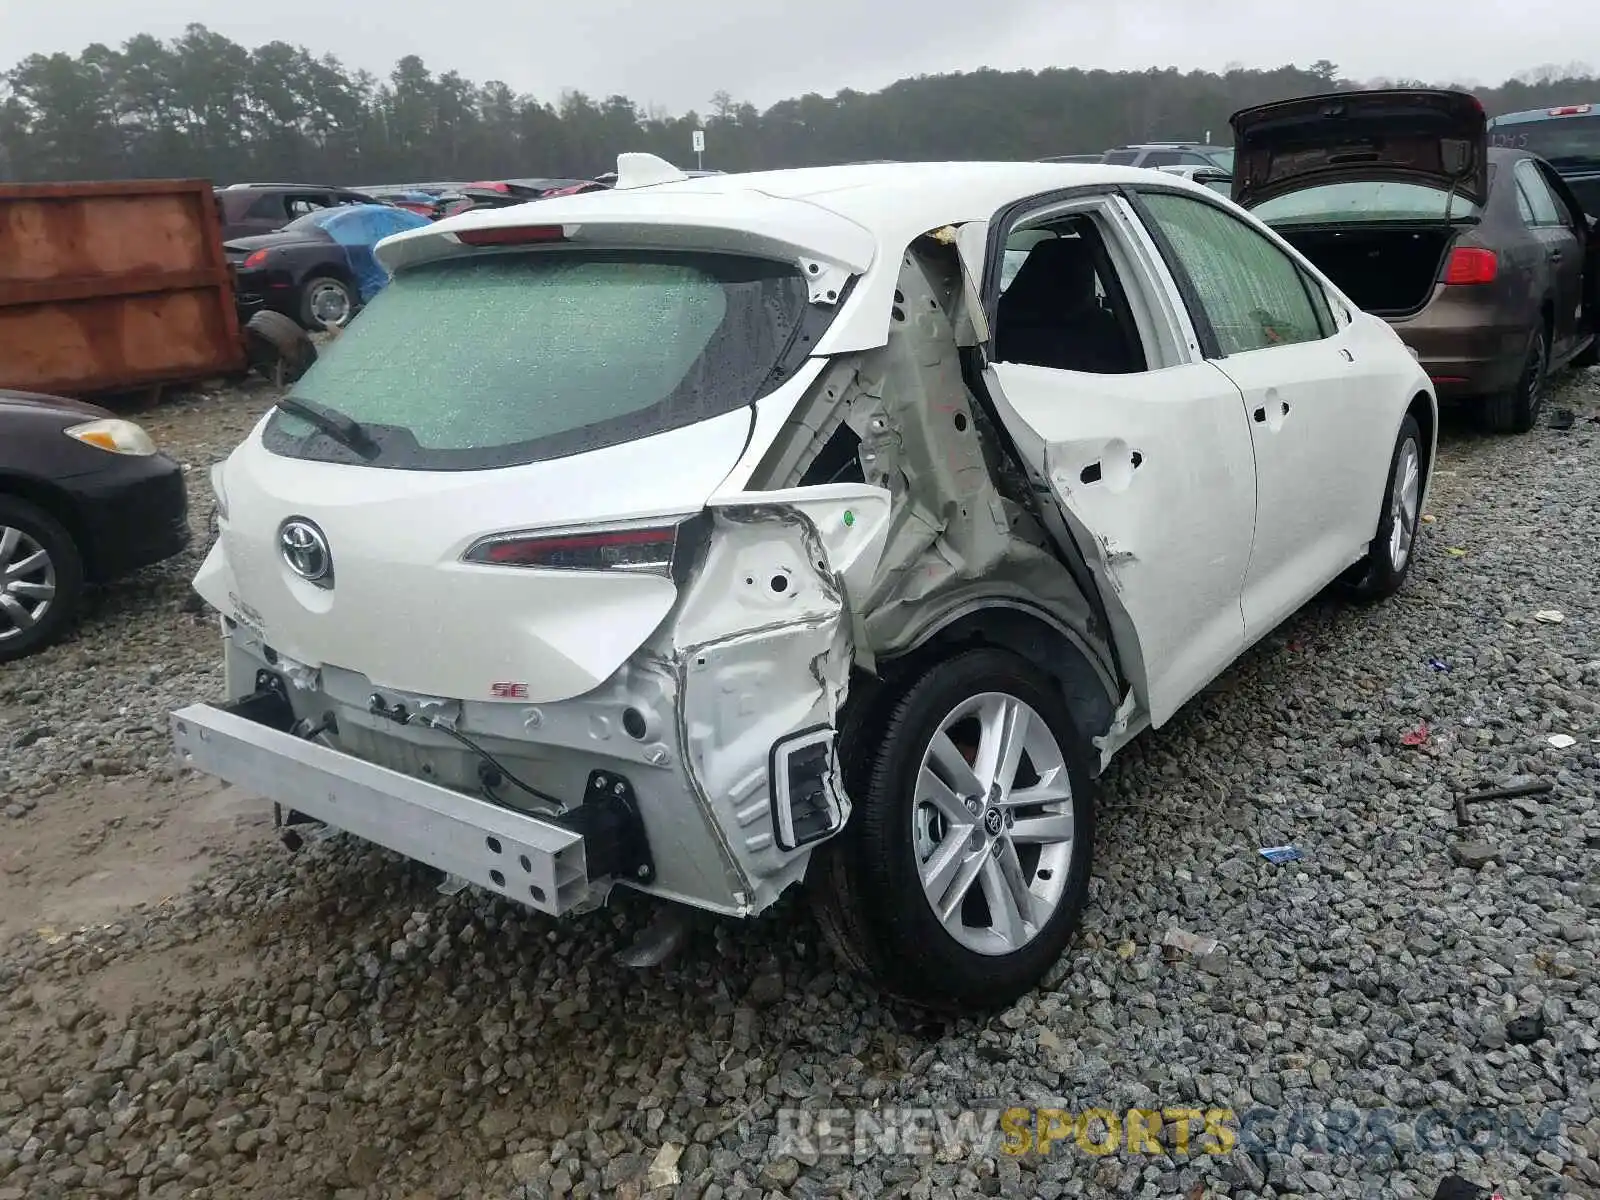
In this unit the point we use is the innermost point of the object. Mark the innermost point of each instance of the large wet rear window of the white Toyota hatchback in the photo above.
(495, 361)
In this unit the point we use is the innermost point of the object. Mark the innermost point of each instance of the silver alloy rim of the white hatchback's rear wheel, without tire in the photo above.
(993, 823)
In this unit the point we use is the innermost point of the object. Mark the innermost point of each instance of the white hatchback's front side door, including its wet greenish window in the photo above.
(1322, 425)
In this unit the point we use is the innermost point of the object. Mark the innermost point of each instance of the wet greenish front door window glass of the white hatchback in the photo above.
(1252, 292)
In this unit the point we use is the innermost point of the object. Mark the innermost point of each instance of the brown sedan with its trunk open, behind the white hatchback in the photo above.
(1482, 260)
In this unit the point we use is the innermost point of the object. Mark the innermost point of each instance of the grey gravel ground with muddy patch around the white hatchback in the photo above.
(242, 1023)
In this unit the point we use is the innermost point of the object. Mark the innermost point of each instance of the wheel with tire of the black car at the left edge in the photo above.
(36, 554)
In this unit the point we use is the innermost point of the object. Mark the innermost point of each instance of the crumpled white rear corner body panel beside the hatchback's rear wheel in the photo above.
(764, 644)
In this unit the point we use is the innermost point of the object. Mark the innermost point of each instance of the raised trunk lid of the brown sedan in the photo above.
(1430, 137)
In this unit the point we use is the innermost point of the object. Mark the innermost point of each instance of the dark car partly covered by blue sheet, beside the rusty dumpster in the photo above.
(319, 270)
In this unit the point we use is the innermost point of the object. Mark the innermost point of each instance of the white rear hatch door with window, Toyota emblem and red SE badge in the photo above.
(538, 430)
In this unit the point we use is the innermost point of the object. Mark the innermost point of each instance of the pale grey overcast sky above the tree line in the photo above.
(676, 54)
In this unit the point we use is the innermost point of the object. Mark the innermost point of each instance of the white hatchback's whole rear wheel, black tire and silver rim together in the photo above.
(868, 882)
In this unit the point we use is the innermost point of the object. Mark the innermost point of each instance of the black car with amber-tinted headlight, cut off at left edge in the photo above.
(84, 498)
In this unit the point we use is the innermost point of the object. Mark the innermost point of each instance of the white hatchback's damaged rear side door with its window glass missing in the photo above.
(1151, 470)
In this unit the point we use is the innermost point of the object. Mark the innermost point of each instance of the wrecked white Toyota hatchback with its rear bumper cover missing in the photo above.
(830, 527)
